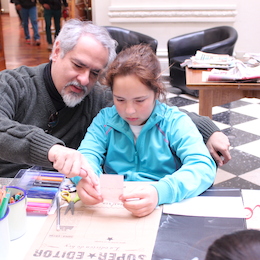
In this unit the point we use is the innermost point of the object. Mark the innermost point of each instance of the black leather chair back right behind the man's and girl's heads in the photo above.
(127, 38)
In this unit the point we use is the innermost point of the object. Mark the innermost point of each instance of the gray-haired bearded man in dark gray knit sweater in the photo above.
(45, 110)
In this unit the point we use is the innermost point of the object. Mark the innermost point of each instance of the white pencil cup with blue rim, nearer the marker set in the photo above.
(17, 214)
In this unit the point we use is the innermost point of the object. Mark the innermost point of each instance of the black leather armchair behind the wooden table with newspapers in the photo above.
(219, 40)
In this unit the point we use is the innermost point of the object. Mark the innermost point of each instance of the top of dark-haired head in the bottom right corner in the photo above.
(241, 245)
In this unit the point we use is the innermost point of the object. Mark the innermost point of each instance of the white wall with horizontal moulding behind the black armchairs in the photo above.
(168, 18)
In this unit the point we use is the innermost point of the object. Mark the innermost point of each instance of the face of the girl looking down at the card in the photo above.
(134, 101)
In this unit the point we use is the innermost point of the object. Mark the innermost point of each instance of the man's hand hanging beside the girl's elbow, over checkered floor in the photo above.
(218, 145)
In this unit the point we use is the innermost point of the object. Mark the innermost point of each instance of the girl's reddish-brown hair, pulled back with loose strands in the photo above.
(141, 61)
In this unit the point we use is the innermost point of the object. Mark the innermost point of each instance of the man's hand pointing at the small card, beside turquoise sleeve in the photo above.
(71, 163)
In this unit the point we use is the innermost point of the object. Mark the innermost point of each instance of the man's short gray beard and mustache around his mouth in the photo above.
(71, 99)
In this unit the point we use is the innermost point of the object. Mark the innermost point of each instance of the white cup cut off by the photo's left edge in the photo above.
(4, 236)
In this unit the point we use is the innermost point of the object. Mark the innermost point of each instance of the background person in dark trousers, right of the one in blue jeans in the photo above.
(52, 9)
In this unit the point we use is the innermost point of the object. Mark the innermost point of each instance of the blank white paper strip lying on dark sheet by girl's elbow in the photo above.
(208, 206)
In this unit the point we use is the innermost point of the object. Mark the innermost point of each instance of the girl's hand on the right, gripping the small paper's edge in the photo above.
(141, 201)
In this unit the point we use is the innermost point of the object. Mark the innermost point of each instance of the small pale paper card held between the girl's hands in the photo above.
(111, 187)
